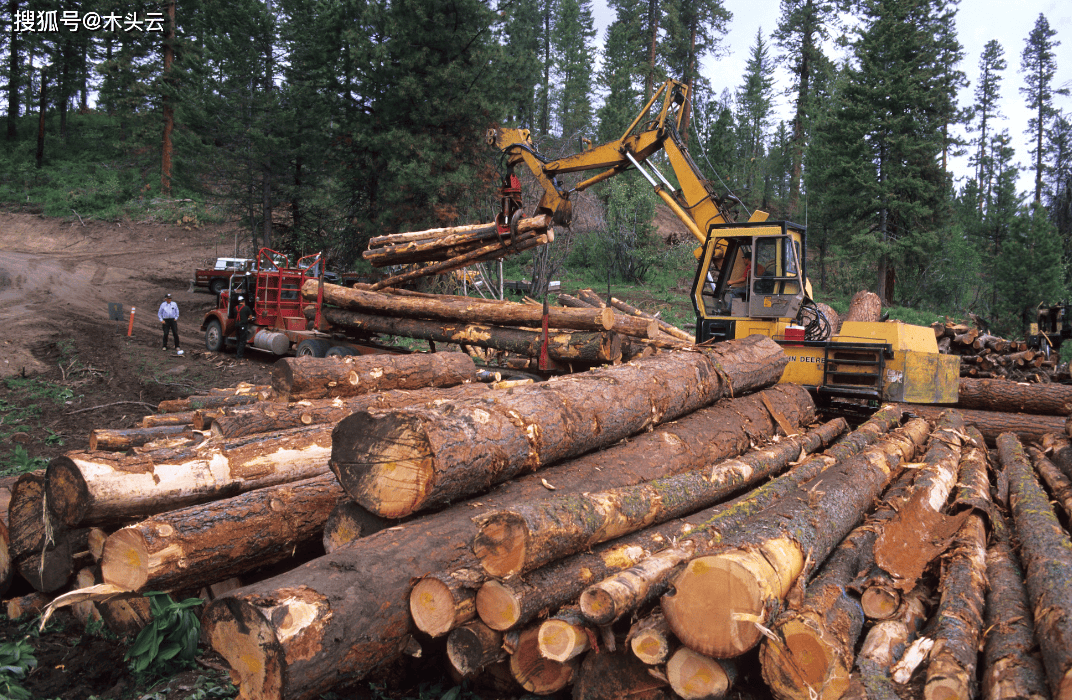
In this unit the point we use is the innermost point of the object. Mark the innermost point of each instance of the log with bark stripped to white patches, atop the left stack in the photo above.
(103, 488)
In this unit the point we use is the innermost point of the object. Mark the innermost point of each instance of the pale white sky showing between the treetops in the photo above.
(978, 22)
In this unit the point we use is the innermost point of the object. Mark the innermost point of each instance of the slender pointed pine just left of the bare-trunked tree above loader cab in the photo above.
(754, 102)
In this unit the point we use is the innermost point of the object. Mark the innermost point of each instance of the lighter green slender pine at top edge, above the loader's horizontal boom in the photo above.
(572, 39)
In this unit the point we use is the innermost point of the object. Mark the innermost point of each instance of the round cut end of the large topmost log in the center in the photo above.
(384, 461)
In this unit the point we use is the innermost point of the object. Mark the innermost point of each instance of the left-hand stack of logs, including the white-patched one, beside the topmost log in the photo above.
(186, 515)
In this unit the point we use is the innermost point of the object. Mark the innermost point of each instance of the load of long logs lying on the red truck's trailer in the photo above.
(520, 335)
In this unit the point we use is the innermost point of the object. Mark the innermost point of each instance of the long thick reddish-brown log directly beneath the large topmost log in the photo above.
(270, 662)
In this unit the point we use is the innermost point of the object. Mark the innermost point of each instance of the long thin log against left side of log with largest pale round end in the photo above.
(609, 600)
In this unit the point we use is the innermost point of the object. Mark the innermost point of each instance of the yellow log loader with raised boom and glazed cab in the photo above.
(752, 276)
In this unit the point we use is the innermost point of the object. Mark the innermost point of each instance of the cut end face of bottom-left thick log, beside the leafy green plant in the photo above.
(241, 634)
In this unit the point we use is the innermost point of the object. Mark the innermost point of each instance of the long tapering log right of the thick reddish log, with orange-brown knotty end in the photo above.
(525, 538)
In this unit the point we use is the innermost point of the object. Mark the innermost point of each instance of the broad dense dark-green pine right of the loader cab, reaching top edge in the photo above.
(885, 186)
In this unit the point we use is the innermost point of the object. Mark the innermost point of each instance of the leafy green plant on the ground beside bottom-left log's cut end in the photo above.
(169, 644)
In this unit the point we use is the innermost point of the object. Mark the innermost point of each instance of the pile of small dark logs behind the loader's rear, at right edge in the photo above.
(987, 356)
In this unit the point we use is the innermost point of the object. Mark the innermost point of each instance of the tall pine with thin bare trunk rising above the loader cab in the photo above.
(802, 28)
